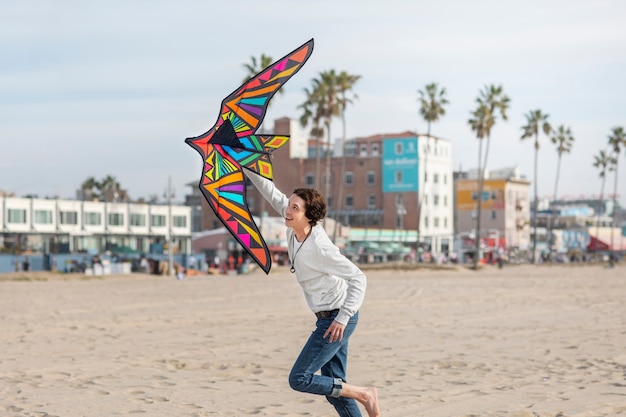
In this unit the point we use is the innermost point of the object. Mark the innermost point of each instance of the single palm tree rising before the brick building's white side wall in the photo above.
(432, 101)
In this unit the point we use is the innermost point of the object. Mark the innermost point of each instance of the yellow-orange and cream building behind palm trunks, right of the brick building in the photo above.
(505, 211)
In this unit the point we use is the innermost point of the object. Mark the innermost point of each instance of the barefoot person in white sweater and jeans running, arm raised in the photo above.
(334, 289)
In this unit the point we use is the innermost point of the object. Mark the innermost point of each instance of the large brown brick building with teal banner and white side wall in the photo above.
(385, 177)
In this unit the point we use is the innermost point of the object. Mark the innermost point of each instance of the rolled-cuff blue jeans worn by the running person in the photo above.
(318, 354)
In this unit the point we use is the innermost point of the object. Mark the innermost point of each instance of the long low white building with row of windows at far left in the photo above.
(70, 226)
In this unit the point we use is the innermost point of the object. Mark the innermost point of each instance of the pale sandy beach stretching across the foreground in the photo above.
(523, 341)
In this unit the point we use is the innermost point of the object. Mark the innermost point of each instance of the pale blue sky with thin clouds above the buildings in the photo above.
(97, 88)
